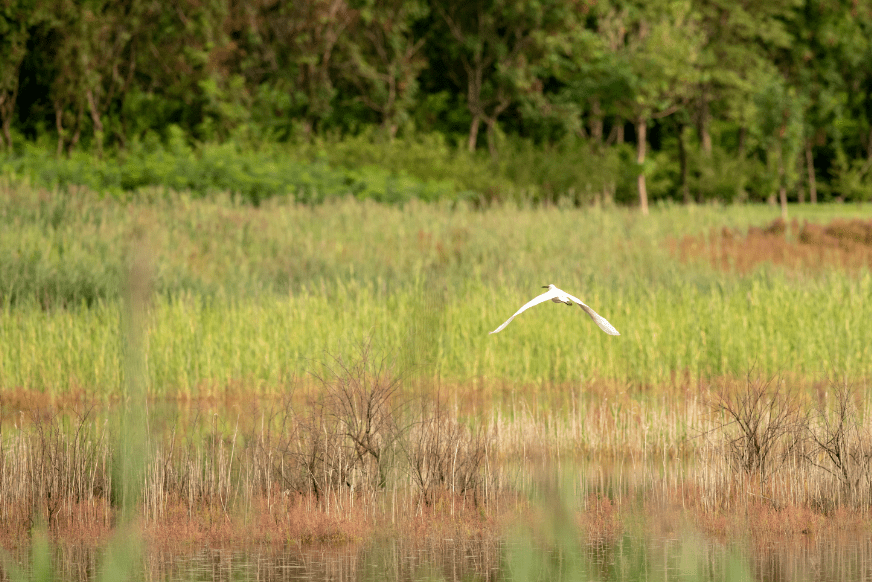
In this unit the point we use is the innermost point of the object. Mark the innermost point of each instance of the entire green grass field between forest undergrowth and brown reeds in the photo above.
(256, 296)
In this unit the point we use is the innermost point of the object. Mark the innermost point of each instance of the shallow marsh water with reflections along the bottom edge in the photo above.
(681, 556)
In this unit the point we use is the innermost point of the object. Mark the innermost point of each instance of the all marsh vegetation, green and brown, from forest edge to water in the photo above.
(292, 375)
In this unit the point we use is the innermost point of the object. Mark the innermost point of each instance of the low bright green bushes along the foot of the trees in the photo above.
(418, 167)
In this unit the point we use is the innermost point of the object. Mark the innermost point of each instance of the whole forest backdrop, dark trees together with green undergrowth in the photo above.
(489, 100)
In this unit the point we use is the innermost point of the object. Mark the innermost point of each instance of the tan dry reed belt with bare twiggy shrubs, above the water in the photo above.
(361, 456)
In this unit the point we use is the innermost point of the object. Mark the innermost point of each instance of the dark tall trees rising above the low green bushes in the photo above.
(699, 87)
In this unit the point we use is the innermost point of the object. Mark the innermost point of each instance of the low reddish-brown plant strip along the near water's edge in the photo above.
(600, 523)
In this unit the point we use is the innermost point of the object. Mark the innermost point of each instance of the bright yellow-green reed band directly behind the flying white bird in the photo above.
(197, 345)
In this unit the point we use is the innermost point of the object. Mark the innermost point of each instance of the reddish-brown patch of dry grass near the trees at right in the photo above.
(810, 247)
